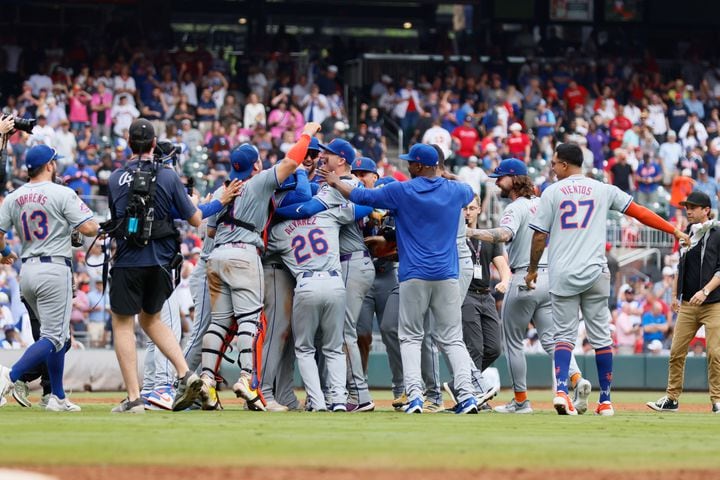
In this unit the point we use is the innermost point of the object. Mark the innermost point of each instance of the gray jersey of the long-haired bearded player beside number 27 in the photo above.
(516, 218)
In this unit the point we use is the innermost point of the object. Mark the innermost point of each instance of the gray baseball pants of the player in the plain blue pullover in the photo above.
(442, 299)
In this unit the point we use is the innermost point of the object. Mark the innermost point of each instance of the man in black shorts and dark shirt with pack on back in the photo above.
(141, 275)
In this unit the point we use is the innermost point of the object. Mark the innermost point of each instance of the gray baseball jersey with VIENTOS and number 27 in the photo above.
(574, 212)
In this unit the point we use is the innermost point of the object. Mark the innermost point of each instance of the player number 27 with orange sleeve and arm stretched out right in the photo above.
(573, 211)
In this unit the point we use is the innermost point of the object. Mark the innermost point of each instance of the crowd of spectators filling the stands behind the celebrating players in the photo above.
(653, 134)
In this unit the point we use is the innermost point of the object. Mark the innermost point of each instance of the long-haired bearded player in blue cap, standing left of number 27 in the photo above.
(522, 305)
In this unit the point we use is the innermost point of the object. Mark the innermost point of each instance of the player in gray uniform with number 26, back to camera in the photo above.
(309, 248)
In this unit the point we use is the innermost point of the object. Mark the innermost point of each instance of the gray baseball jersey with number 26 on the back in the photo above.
(312, 244)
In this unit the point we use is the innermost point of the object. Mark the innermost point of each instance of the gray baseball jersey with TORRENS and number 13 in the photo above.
(44, 214)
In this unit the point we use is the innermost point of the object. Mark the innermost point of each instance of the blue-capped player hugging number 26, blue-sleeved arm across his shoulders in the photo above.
(357, 267)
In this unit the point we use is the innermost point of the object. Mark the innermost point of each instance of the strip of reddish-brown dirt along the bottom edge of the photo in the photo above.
(225, 473)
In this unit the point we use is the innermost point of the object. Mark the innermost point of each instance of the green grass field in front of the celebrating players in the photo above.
(633, 440)
